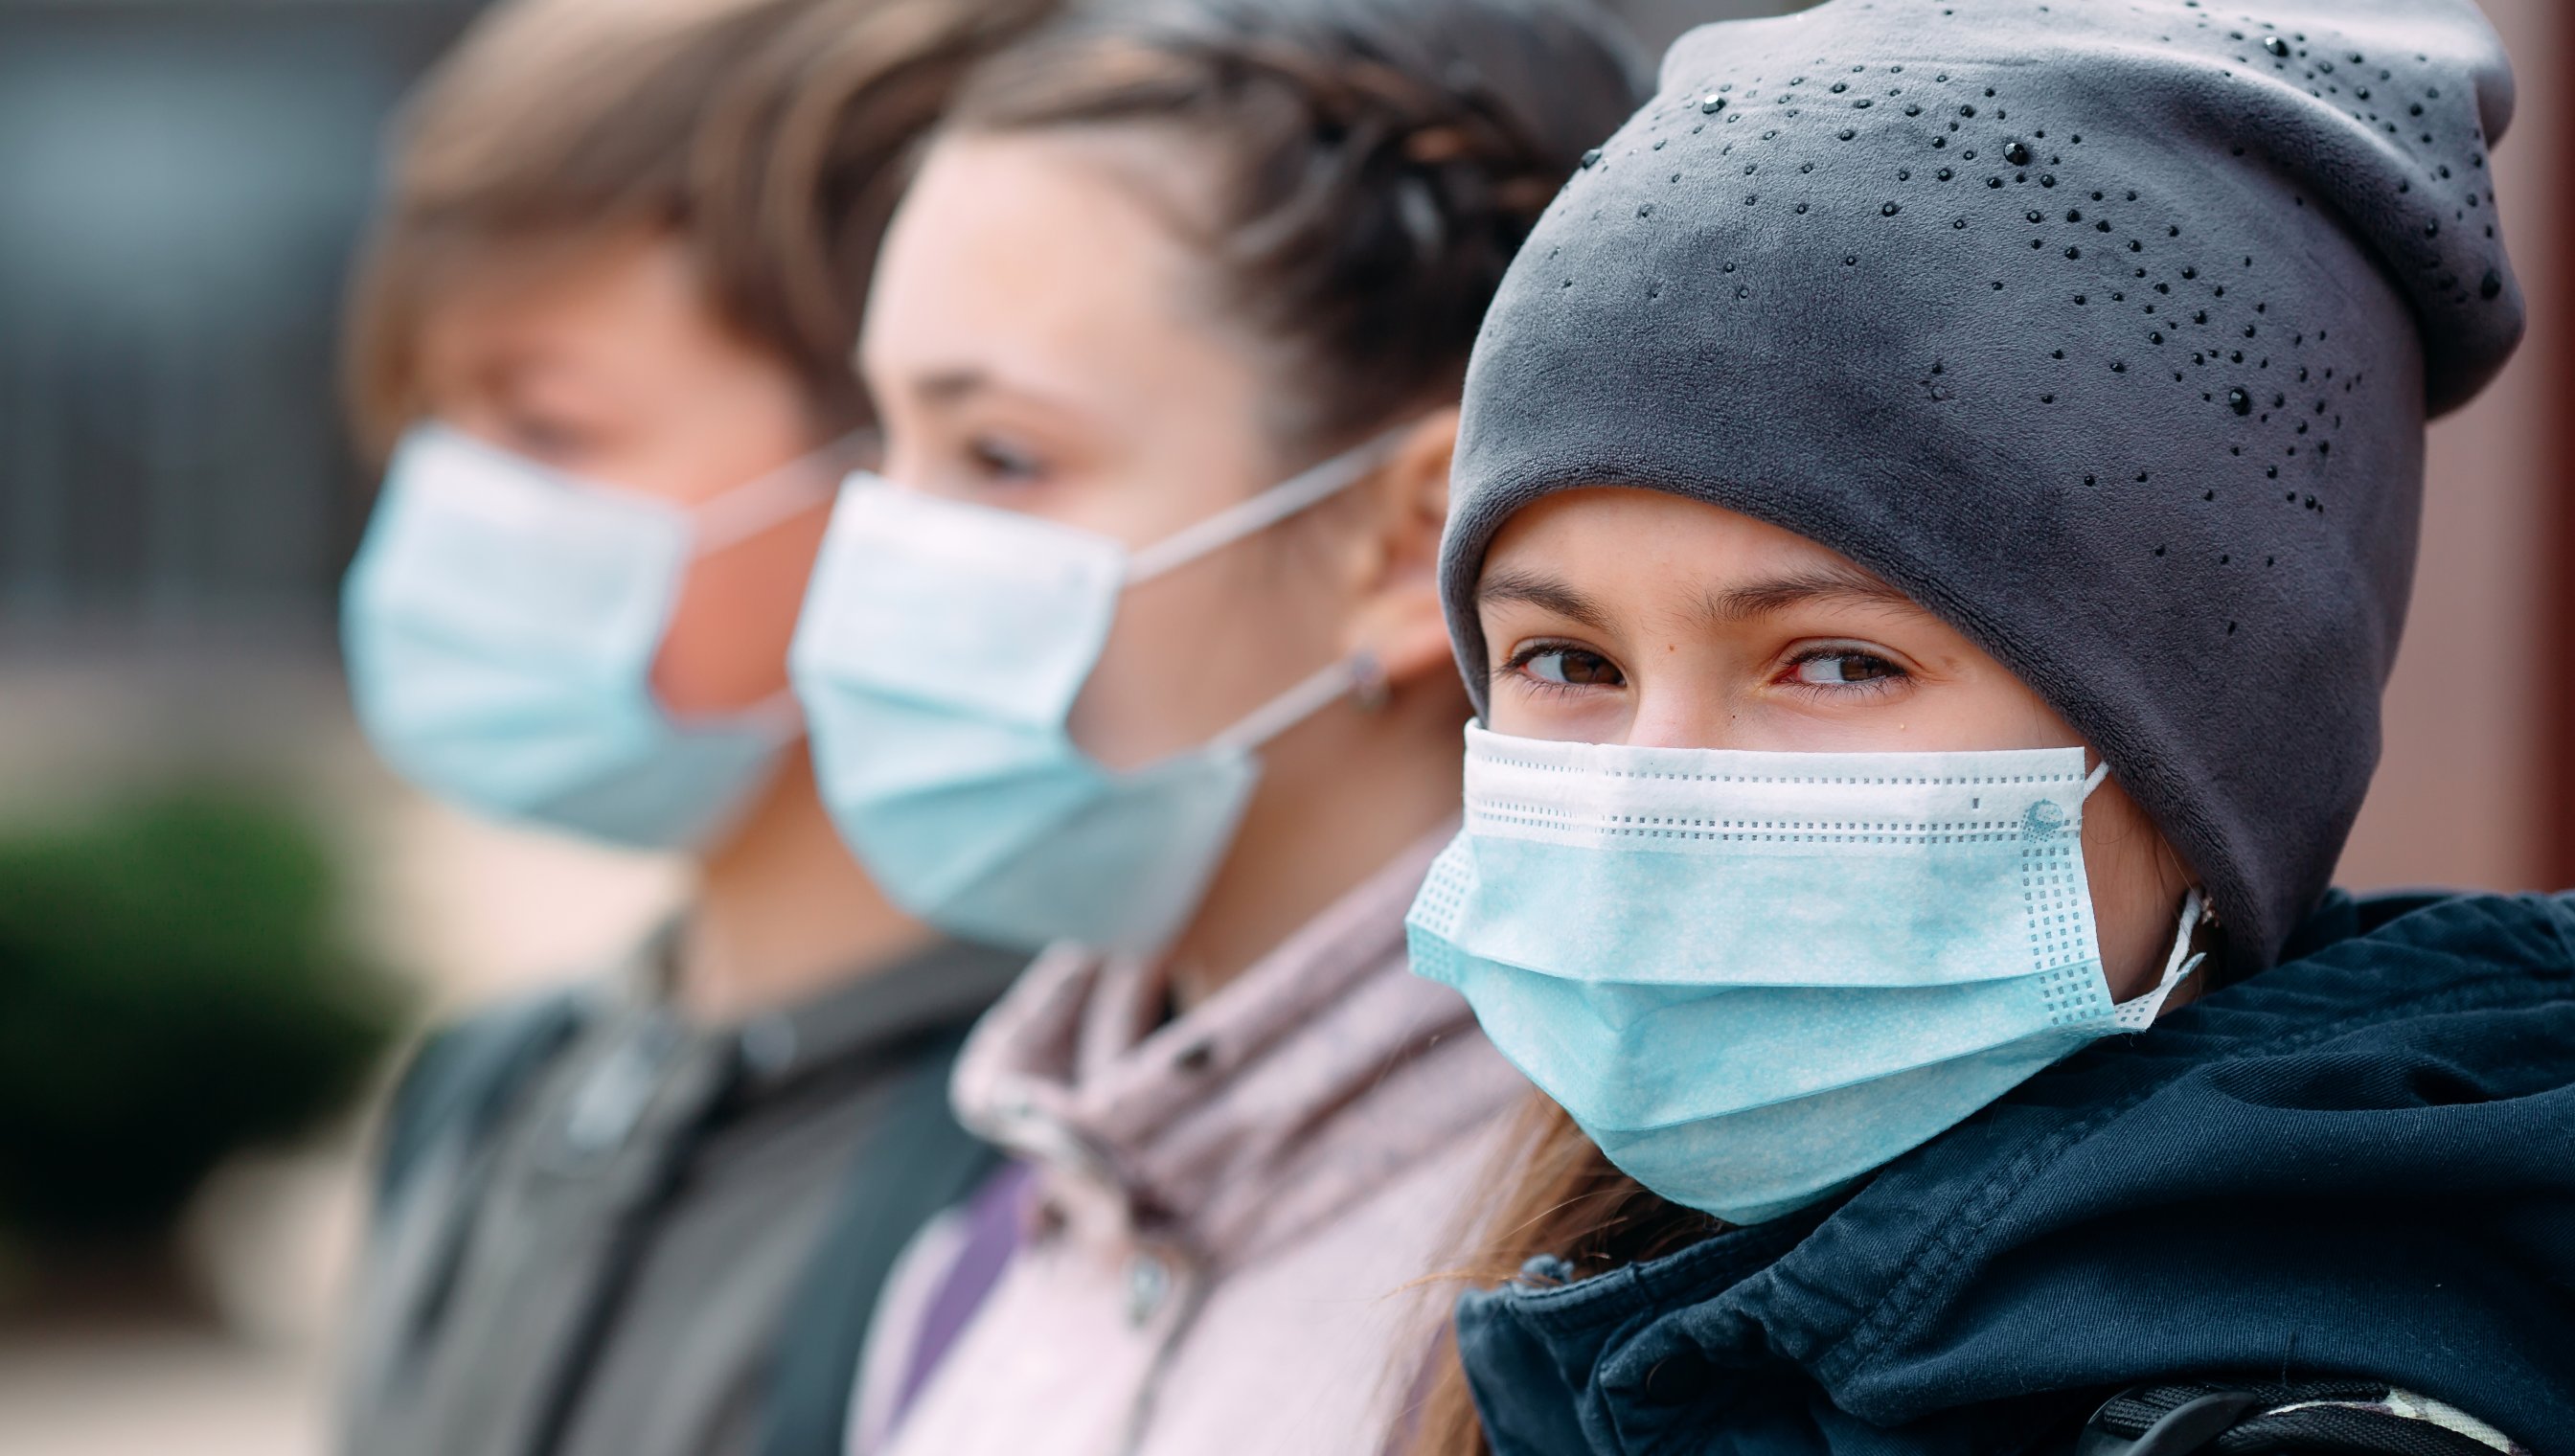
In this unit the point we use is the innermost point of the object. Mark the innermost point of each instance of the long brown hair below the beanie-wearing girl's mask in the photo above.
(1567, 1202)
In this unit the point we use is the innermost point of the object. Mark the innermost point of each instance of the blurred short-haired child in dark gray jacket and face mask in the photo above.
(606, 339)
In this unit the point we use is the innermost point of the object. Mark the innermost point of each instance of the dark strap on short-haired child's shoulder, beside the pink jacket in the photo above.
(910, 1169)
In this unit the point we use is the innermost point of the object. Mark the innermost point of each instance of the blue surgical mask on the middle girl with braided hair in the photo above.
(939, 658)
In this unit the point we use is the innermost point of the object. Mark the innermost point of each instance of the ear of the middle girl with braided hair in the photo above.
(1397, 615)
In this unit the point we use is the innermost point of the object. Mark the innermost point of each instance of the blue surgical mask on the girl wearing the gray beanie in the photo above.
(1755, 978)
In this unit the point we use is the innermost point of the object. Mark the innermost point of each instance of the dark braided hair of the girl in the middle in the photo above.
(1381, 161)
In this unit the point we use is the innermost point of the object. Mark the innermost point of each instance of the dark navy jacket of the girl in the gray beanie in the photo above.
(2357, 1164)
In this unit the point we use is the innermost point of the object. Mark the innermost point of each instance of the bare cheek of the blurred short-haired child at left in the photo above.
(727, 640)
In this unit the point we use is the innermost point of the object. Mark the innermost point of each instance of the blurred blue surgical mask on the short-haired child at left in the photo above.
(501, 627)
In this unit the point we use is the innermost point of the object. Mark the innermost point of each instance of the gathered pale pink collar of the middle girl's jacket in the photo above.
(1209, 1130)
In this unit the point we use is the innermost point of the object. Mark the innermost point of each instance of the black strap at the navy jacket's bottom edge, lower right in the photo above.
(2260, 1419)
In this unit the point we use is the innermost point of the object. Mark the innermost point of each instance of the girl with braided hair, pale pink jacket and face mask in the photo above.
(1137, 651)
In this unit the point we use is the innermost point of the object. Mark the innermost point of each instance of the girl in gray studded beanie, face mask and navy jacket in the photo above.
(1935, 512)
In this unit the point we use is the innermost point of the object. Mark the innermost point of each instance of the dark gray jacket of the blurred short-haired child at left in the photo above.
(604, 1233)
